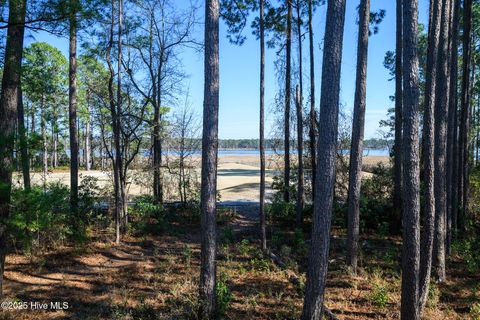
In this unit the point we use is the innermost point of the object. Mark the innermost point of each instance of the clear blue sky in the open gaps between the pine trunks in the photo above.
(239, 72)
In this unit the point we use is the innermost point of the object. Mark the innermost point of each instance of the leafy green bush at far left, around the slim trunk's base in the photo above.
(42, 217)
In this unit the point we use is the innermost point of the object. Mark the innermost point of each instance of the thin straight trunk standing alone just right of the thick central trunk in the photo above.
(263, 232)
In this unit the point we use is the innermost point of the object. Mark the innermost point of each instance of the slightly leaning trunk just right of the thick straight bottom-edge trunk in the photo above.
(428, 152)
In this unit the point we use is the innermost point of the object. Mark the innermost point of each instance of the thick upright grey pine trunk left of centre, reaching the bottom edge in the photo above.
(209, 162)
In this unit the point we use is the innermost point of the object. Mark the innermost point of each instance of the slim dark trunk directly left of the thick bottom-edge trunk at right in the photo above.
(397, 193)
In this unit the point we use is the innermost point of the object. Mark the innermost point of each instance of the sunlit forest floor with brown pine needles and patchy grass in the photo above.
(156, 277)
